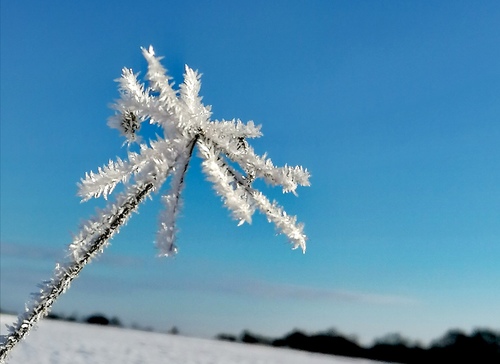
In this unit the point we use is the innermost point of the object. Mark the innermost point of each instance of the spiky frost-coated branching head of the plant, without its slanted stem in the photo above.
(186, 124)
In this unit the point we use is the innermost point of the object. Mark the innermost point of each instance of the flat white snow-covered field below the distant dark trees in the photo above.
(58, 342)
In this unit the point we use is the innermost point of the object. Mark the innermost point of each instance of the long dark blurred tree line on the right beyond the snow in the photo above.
(481, 346)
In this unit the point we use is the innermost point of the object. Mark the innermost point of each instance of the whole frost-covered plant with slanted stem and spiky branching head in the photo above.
(229, 162)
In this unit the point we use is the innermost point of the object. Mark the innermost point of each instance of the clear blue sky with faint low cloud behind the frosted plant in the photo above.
(393, 106)
